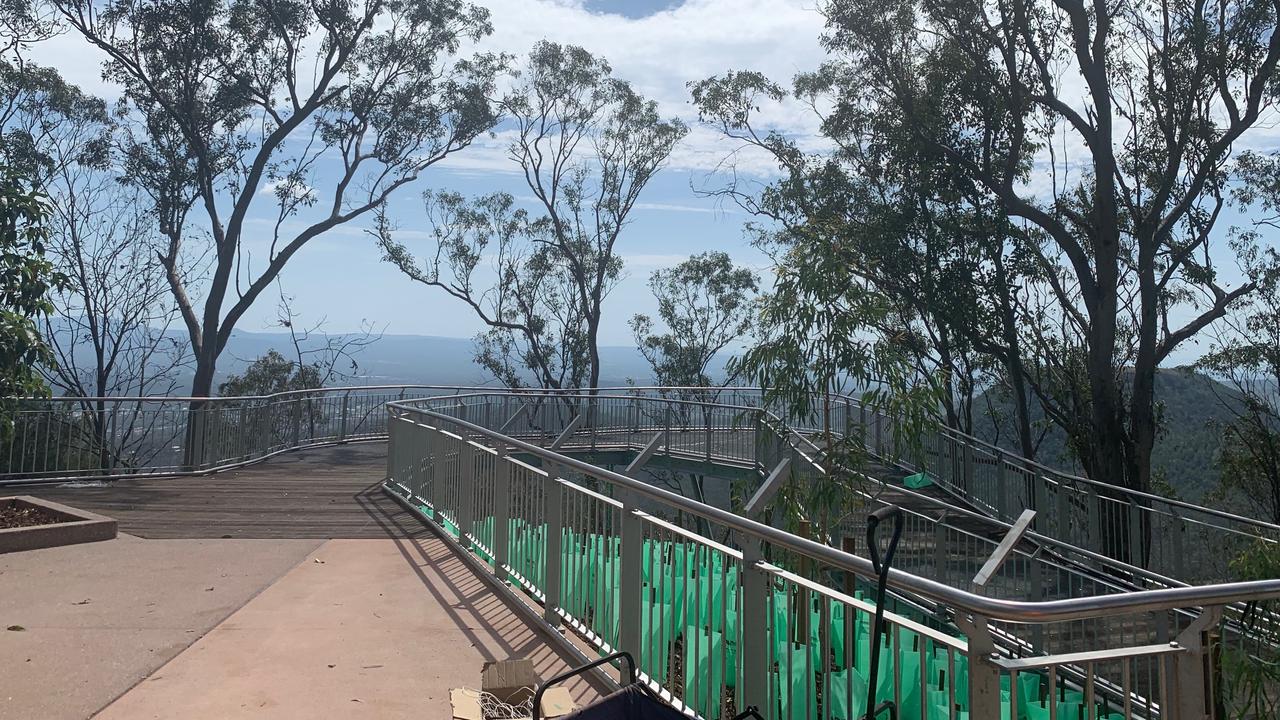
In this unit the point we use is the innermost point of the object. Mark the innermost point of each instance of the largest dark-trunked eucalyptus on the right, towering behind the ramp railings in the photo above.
(1107, 133)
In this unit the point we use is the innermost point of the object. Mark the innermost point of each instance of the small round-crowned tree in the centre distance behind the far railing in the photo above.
(706, 306)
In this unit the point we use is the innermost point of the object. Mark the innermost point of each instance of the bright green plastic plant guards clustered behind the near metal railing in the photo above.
(689, 635)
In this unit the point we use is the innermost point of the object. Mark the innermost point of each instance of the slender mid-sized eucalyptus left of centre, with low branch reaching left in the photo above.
(587, 145)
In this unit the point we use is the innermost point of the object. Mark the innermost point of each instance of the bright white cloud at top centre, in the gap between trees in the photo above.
(662, 53)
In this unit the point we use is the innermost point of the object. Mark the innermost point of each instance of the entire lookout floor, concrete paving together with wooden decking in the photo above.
(290, 589)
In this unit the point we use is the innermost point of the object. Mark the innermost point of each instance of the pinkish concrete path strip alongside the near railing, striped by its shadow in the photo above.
(378, 628)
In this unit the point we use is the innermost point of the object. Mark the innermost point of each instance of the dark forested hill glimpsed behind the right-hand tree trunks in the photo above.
(1186, 452)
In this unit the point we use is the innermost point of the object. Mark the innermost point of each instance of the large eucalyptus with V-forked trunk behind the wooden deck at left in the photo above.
(257, 126)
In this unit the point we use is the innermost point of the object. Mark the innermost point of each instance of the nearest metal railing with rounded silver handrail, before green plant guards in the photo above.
(519, 503)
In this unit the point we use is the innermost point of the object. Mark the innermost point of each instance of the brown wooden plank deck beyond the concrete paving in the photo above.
(326, 493)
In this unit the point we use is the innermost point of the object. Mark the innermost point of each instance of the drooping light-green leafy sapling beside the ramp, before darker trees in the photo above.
(815, 341)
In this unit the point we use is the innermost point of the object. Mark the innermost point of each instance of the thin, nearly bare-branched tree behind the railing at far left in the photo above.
(109, 326)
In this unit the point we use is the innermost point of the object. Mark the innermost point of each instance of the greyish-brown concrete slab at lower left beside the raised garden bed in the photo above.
(98, 618)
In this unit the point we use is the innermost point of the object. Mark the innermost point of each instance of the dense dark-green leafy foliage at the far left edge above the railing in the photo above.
(26, 280)
